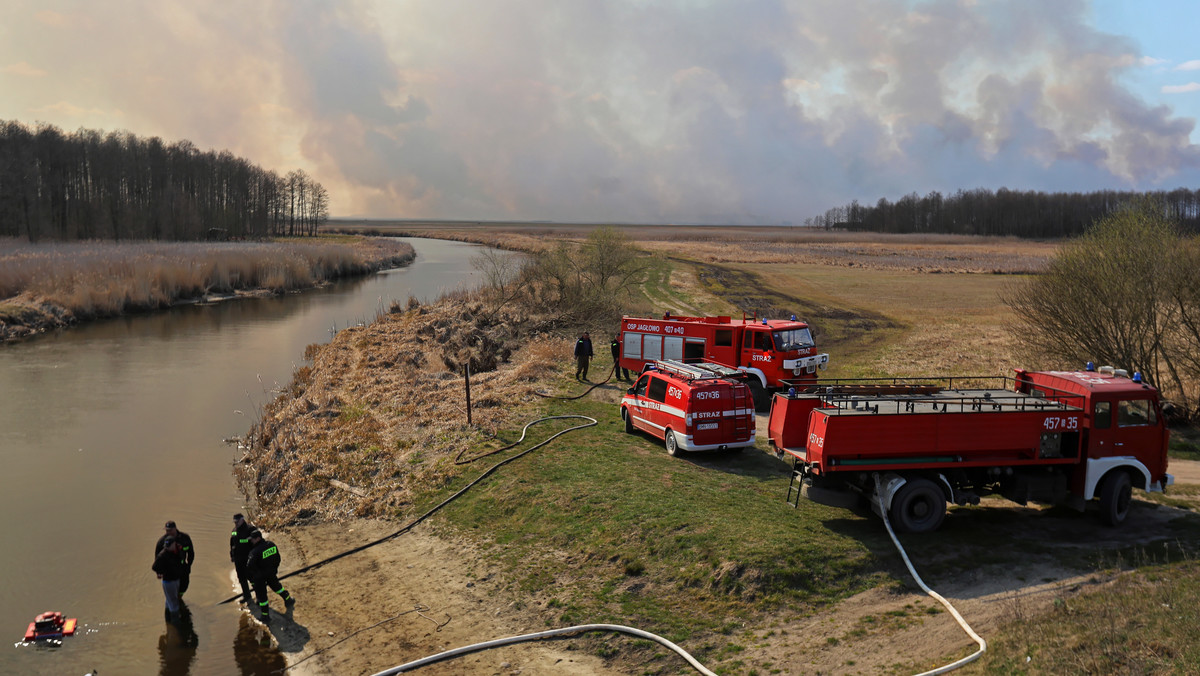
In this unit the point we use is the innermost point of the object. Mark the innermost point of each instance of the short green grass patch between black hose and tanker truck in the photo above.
(603, 527)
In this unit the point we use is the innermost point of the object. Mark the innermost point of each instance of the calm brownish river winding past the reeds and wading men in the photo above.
(111, 429)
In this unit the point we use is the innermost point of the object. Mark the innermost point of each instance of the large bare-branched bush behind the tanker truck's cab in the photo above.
(1120, 296)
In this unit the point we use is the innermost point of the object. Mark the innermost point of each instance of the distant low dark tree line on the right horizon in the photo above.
(1028, 214)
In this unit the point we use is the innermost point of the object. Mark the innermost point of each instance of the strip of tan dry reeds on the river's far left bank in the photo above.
(51, 286)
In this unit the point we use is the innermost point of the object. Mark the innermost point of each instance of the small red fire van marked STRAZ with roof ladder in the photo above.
(697, 406)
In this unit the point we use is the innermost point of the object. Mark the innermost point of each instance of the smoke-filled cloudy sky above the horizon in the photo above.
(749, 112)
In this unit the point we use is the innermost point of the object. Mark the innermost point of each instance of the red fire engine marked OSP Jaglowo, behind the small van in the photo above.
(771, 351)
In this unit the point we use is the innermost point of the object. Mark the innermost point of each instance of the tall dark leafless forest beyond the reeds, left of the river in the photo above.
(91, 186)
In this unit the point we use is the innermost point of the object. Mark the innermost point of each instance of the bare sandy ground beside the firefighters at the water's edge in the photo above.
(461, 602)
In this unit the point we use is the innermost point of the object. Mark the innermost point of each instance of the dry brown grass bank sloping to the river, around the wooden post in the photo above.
(383, 408)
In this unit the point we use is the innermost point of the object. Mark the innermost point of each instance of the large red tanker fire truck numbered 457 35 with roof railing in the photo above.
(911, 446)
